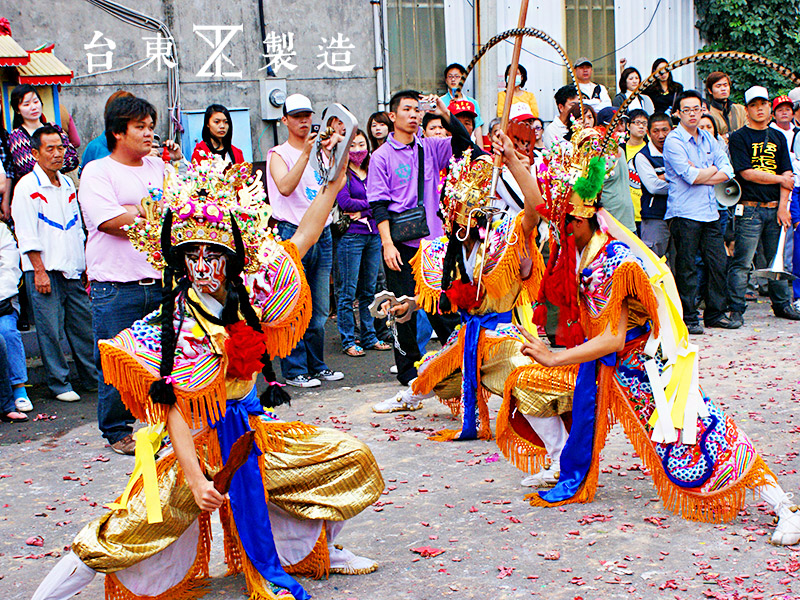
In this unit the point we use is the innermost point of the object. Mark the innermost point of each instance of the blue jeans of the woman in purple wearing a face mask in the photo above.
(357, 259)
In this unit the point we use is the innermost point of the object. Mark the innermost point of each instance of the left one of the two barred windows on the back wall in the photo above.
(416, 44)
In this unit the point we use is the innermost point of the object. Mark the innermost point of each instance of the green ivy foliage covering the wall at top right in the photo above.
(770, 28)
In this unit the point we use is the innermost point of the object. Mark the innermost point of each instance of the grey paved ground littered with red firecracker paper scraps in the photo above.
(460, 497)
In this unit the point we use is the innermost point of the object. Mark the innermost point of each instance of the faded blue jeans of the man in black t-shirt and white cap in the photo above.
(757, 223)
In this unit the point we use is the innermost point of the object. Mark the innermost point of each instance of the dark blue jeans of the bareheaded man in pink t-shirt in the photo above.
(115, 306)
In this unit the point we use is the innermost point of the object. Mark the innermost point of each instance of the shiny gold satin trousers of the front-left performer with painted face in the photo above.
(318, 474)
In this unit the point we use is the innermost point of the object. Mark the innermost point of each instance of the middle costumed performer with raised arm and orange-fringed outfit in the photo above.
(488, 269)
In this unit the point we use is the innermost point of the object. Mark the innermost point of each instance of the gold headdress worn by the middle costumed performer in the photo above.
(466, 191)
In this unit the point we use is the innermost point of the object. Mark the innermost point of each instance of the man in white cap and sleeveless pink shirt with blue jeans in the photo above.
(291, 186)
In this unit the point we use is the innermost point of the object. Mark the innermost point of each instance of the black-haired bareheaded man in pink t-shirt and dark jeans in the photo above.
(124, 287)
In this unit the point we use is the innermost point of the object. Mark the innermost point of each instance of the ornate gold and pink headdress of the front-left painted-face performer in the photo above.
(203, 201)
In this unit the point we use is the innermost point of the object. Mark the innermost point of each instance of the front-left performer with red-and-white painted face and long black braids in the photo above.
(190, 368)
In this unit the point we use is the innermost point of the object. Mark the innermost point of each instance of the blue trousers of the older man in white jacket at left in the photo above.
(65, 311)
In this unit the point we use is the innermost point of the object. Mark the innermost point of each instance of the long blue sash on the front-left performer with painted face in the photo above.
(248, 503)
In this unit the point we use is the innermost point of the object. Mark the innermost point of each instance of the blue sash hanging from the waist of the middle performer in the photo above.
(469, 371)
